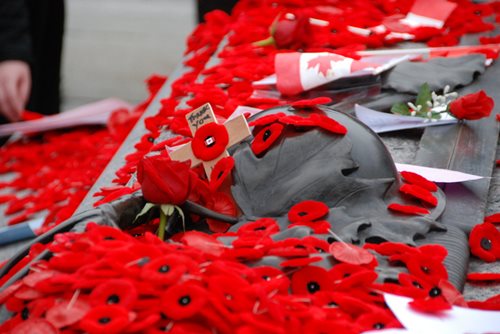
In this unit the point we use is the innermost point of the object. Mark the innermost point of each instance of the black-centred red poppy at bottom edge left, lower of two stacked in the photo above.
(111, 319)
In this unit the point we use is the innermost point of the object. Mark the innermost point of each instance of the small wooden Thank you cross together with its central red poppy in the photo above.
(210, 139)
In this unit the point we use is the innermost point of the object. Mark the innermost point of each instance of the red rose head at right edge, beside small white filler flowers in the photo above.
(472, 106)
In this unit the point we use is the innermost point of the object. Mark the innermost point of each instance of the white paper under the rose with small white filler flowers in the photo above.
(384, 122)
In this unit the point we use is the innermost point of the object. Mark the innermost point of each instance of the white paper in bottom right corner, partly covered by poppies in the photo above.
(458, 320)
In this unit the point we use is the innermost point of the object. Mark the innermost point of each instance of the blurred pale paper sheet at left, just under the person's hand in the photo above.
(92, 113)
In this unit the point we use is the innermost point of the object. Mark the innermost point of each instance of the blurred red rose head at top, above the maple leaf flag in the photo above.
(292, 33)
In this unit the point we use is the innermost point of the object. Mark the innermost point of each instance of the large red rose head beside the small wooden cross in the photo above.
(164, 181)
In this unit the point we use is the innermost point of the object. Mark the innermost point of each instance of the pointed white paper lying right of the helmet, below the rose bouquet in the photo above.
(438, 174)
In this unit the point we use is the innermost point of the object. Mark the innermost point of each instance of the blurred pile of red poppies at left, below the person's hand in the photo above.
(52, 173)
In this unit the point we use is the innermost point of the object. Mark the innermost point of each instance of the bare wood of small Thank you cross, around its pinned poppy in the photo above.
(237, 130)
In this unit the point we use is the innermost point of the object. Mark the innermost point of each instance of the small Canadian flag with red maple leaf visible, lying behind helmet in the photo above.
(298, 72)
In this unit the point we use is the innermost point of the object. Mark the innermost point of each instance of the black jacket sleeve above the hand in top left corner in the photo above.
(15, 41)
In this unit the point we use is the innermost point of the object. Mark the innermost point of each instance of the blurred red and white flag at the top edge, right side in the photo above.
(429, 13)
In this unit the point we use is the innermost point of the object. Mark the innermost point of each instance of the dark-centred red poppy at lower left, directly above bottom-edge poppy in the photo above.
(115, 291)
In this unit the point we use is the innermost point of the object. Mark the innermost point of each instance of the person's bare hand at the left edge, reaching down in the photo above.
(15, 84)
